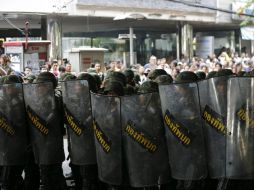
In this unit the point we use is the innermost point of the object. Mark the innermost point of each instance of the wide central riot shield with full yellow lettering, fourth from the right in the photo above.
(144, 142)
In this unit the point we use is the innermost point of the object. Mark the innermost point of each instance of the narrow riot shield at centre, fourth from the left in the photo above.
(107, 134)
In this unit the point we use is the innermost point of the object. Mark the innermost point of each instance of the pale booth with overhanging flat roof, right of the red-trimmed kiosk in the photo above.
(82, 57)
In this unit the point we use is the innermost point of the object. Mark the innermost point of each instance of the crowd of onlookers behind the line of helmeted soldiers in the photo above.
(240, 65)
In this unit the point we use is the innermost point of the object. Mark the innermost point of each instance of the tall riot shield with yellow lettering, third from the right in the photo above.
(185, 140)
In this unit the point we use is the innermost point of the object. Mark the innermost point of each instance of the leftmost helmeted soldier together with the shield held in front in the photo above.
(13, 134)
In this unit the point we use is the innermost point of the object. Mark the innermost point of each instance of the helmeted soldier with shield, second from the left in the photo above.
(47, 139)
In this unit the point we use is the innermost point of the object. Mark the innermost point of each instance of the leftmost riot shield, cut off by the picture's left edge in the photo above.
(13, 125)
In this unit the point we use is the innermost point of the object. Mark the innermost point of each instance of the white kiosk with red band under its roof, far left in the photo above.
(32, 53)
